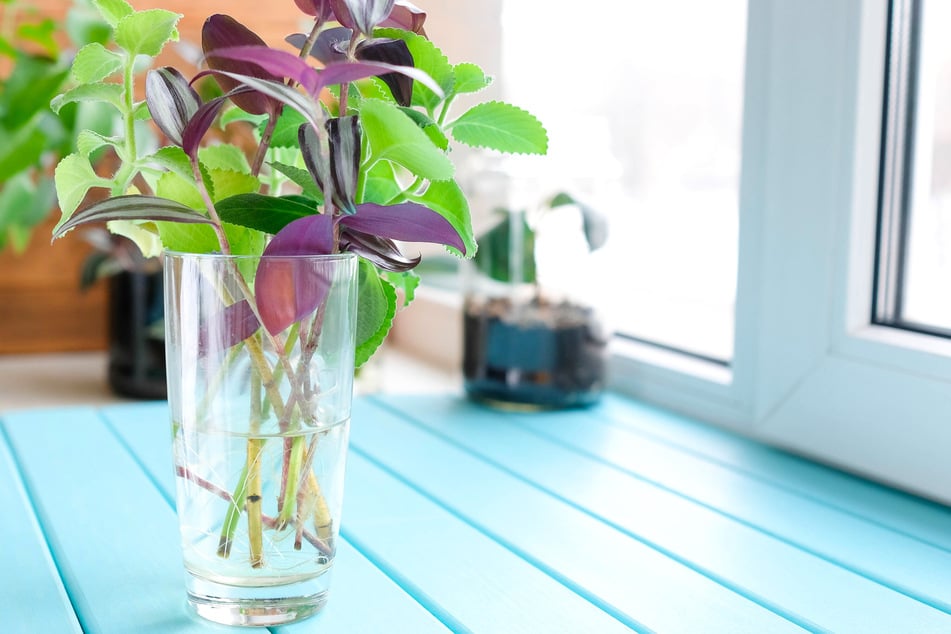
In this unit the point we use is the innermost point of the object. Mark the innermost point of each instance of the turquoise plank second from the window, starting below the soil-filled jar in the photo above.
(891, 558)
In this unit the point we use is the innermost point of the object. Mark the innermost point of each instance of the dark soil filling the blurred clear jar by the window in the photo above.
(537, 354)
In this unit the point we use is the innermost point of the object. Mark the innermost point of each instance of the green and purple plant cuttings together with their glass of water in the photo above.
(282, 266)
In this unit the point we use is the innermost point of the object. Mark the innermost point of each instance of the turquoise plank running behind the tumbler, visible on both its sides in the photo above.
(362, 597)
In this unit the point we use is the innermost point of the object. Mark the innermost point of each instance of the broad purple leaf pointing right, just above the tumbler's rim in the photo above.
(410, 222)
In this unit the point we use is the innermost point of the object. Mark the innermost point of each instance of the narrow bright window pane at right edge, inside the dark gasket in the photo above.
(926, 292)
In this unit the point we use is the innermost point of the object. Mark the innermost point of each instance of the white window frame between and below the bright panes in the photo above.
(810, 372)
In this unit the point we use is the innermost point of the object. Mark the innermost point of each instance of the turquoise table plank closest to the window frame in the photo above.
(926, 521)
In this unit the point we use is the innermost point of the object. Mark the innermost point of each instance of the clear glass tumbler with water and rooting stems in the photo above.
(260, 416)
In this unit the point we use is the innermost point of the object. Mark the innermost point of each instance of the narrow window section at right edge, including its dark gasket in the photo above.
(915, 230)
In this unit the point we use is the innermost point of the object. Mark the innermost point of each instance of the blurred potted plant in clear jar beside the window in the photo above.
(530, 337)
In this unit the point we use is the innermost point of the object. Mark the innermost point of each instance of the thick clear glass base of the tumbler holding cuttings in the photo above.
(257, 606)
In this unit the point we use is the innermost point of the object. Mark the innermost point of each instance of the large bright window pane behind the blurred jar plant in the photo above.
(644, 118)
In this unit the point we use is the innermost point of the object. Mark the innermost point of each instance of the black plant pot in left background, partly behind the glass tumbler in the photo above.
(136, 335)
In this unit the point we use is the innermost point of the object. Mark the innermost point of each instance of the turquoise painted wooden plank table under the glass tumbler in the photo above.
(460, 518)
